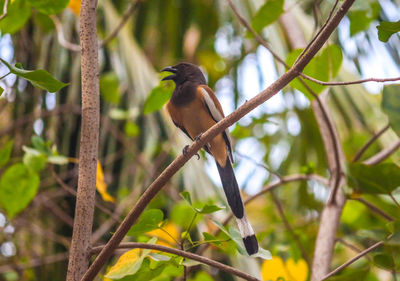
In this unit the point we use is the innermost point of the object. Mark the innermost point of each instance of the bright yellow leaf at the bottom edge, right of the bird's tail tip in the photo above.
(290, 271)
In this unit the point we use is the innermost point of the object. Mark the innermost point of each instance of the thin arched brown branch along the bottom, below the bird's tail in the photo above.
(189, 255)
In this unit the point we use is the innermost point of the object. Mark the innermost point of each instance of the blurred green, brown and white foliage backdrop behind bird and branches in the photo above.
(137, 139)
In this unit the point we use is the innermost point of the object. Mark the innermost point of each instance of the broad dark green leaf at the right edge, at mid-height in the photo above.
(376, 179)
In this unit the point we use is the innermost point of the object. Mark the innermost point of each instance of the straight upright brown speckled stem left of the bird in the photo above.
(80, 244)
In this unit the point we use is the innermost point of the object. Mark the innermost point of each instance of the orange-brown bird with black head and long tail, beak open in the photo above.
(194, 108)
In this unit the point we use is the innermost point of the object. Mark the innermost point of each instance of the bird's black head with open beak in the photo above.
(183, 72)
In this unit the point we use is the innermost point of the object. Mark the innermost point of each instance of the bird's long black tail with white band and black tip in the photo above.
(232, 193)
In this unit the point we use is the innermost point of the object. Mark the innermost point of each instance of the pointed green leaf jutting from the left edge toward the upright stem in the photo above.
(39, 78)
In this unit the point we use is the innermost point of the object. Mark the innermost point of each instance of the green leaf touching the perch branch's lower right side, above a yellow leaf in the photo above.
(148, 221)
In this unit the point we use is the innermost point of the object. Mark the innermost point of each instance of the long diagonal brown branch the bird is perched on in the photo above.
(156, 186)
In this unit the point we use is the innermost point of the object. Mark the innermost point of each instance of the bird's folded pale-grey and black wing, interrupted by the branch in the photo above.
(215, 110)
